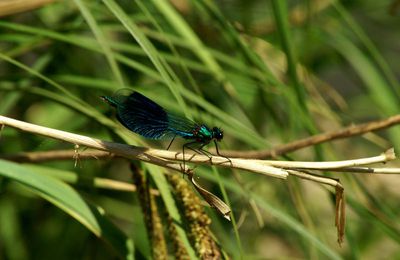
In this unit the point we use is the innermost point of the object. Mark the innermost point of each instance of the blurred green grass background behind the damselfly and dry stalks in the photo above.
(229, 63)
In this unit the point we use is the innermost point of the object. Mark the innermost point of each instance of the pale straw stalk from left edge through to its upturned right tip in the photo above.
(167, 158)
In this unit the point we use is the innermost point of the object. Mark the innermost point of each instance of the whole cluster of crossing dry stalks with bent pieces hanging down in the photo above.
(172, 160)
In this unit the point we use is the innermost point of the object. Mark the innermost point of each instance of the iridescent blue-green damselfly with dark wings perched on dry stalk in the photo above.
(146, 118)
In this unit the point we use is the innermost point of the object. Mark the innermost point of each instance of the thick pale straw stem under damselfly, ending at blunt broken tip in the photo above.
(158, 157)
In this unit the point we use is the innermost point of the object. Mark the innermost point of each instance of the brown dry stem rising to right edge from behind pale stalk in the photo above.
(346, 132)
